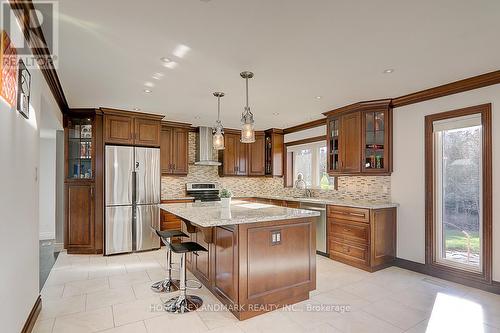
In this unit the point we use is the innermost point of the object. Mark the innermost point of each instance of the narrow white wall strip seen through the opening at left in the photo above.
(47, 187)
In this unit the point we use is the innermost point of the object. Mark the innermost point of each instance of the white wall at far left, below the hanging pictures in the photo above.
(19, 250)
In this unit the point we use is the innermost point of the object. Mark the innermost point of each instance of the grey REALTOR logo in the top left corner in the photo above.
(33, 30)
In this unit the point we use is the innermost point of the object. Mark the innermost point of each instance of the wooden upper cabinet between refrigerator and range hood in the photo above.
(174, 146)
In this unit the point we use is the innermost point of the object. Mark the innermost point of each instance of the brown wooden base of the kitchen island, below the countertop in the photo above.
(252, 270)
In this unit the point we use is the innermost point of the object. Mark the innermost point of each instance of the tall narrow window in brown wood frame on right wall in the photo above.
(458, 173)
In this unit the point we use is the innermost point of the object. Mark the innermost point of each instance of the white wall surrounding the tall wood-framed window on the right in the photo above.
(408, 186)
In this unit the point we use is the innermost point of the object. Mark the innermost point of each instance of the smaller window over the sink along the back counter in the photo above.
(309, 160)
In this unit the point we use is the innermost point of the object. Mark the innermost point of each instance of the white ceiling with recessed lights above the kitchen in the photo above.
(297, 50)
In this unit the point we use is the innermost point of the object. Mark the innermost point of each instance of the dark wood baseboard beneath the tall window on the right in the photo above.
(493, 287)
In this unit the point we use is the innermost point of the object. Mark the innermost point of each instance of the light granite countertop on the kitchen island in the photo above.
(211, 214)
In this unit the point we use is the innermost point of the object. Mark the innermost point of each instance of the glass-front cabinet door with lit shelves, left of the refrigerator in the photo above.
(79, 136)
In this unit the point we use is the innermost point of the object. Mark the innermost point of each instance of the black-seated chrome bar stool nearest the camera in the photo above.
(184, 303)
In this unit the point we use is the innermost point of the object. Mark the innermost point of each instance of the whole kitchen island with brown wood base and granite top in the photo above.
(260, 257)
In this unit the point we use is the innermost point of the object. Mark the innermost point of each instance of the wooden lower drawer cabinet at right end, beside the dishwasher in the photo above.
(364, 238)
